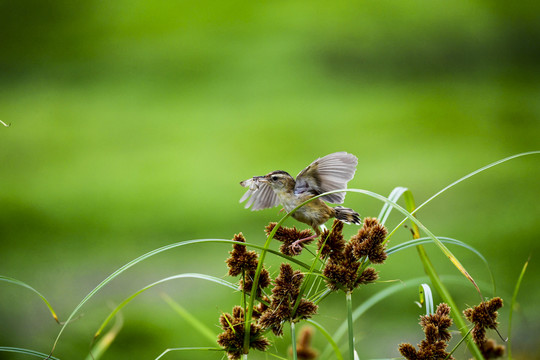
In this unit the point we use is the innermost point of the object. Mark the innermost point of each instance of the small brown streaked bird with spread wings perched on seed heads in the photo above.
(331, 172)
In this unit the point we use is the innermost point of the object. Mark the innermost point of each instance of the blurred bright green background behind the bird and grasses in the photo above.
(134, 121)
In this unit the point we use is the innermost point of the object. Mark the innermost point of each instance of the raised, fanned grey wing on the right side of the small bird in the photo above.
(328, 173)
